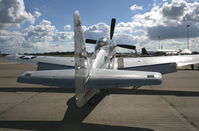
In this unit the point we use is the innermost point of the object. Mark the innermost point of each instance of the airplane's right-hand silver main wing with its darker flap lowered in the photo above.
(162, 64)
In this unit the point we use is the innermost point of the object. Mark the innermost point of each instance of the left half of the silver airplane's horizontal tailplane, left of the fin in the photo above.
(58, 78)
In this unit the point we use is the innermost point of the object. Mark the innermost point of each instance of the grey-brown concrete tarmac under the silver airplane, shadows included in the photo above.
(172, 106)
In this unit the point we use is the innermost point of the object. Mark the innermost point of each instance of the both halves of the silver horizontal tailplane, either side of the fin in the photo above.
(99, 78)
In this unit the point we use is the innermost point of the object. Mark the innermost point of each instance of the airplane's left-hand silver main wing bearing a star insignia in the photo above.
(29, 59)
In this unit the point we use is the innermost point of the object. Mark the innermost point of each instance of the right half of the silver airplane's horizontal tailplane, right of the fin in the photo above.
(106, 78)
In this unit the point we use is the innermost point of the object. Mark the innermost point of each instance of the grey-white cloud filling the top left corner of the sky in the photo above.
(12, 12)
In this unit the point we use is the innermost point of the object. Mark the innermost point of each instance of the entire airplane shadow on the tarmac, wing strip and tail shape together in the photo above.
(73, 119)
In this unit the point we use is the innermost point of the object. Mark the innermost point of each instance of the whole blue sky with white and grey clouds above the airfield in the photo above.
(32, 26)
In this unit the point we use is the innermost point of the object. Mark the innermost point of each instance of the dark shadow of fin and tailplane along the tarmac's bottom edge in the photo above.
(72, 121)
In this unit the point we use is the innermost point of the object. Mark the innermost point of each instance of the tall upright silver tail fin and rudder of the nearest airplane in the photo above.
(83, 94)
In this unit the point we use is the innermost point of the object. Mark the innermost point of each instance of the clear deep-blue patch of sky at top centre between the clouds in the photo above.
(59, 12)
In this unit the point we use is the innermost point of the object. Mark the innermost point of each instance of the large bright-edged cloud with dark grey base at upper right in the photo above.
(170, 20)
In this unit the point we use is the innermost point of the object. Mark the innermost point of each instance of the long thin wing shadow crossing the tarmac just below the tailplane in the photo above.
(109, 91)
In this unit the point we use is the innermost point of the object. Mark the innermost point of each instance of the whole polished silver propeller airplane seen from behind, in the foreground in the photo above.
(103, 70)
